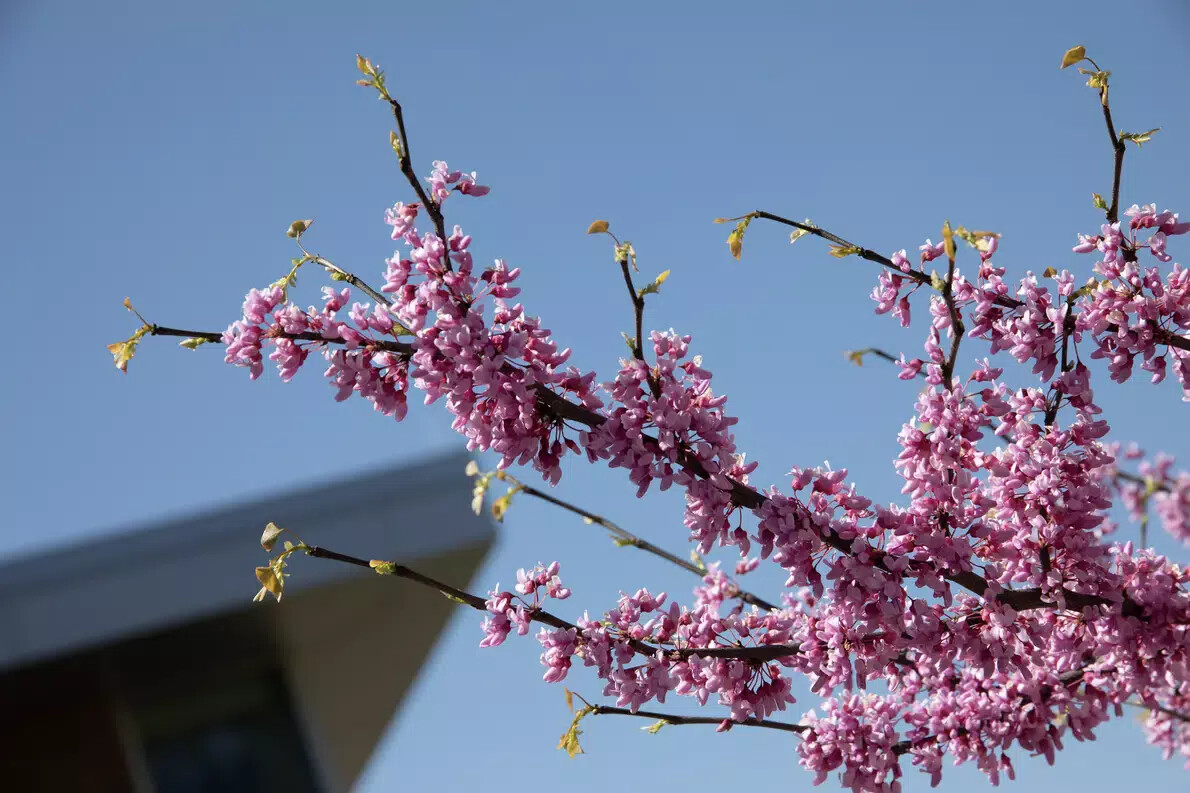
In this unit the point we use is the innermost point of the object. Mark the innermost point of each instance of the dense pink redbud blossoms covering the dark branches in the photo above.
(987, 610)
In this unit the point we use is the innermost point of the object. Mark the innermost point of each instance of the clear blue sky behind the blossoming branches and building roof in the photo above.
(160, 151)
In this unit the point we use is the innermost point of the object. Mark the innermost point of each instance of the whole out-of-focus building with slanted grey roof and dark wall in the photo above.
(139, 663)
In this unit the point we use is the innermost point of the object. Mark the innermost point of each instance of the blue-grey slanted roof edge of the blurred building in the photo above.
(127, 584)
